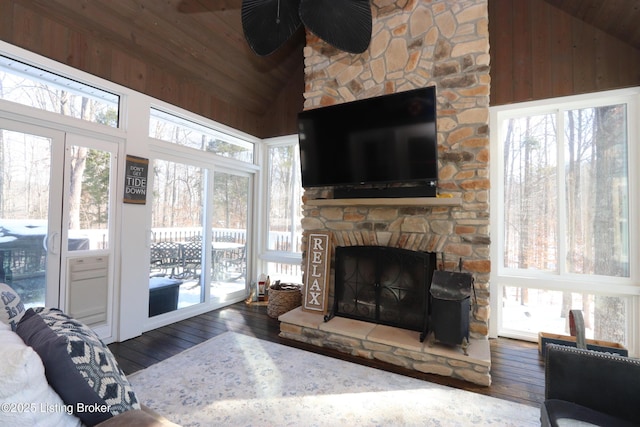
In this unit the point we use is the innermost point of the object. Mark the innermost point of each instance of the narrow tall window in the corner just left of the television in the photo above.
(284, 212)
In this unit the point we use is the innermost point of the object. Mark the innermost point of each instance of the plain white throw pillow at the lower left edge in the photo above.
(26, 398)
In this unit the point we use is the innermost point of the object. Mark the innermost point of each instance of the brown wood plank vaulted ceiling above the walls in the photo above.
(202, 40)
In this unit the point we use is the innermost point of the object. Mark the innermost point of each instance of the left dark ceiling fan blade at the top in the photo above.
(268, 24)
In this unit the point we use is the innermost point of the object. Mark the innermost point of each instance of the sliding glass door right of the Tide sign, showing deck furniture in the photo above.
(181, 250)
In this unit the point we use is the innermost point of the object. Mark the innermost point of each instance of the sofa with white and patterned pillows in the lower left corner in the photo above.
(55, 371)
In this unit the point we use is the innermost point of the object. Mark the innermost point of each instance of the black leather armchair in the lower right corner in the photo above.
(585, 387)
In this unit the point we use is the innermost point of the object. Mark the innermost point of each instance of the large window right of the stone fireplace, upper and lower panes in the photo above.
(563, 210)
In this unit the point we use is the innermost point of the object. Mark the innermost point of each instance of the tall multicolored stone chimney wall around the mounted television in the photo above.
(417, 43)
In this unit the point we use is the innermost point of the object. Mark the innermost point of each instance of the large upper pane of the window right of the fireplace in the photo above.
(593, 178)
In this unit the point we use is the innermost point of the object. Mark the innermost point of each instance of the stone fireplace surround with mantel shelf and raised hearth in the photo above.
(404, 224)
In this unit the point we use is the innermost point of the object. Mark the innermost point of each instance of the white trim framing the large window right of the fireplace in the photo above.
(501, 276)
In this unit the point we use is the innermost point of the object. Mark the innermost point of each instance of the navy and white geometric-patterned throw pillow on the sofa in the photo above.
(79, 367)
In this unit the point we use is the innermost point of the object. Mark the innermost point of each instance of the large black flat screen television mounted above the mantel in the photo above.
(372, 144)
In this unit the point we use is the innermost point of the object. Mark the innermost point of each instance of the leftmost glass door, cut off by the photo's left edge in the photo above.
(30, 211)
